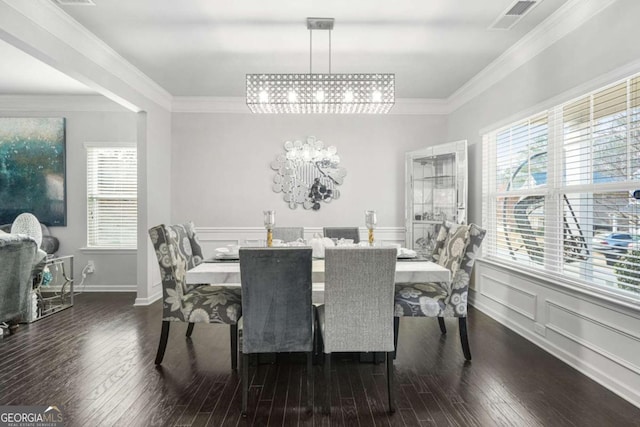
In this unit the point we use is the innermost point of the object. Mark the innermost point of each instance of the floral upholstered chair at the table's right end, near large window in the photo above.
(458, 253)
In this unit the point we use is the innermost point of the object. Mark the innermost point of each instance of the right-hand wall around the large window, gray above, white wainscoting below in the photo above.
(590, 329)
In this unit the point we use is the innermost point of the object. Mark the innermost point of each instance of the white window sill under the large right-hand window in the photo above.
(564, 284)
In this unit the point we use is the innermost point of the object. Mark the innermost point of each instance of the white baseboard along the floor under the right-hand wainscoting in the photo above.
(624, 391)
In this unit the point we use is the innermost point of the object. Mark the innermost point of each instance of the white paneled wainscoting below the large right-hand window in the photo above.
(599, 338)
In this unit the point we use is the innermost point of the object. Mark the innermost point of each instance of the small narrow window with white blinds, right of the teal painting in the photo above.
(112, 205)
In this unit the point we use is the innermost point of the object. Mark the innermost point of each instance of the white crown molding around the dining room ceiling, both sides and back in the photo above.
(52, 19)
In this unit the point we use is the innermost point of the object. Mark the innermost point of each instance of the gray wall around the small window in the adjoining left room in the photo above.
(114, 271)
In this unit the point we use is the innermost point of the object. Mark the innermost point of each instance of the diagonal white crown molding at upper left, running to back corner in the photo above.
(55, 21)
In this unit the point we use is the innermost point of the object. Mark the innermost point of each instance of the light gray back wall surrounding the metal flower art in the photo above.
(221, 175)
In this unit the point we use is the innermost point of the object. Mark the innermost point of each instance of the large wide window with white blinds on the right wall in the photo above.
(558, 190)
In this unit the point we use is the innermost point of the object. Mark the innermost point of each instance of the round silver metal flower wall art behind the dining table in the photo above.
(307, 173)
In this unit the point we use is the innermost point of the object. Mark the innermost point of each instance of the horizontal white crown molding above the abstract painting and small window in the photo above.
(41, 103)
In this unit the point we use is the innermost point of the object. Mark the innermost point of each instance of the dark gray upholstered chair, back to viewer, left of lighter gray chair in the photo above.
(277, 314)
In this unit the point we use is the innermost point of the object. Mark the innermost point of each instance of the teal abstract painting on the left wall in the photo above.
(32, 169)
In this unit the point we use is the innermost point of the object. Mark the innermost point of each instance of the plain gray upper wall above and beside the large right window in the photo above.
(604, 43)
